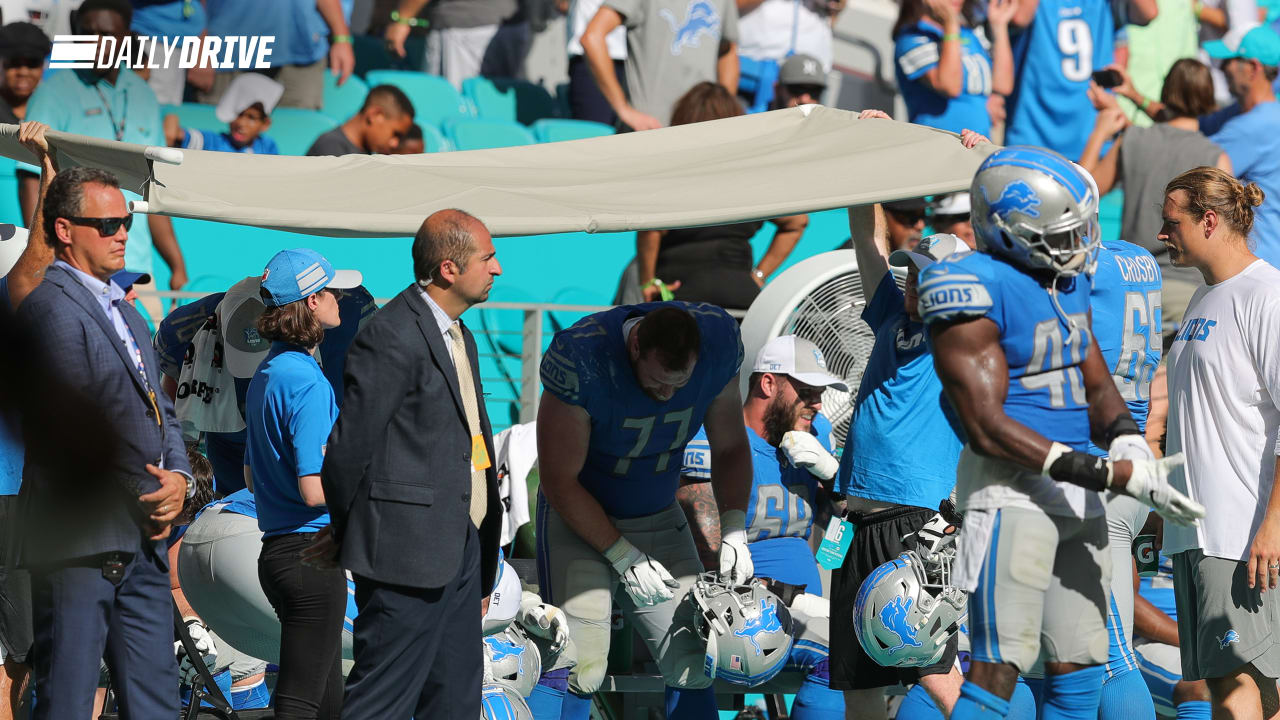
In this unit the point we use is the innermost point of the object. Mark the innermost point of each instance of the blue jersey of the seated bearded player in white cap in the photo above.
(779, 513)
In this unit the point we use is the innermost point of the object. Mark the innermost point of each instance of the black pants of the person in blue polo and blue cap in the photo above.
(312, 605)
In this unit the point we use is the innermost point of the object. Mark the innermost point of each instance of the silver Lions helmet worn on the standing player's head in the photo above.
(1036, 209)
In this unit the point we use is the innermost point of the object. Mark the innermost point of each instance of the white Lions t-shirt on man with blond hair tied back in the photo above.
(1224, 409)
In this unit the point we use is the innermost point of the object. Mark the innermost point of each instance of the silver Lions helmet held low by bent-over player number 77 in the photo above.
(747, 628)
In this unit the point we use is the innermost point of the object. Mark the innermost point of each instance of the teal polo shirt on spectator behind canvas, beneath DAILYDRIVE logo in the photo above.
(83, 103)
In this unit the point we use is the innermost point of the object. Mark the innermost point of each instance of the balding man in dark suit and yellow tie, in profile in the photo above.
(412, 486)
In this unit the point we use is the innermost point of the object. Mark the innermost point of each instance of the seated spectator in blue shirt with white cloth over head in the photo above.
(246, 107)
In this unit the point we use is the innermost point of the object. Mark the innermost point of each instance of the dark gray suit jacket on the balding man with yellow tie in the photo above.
(397, 472)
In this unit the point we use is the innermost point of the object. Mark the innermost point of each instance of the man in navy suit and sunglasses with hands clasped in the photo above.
(100, 585)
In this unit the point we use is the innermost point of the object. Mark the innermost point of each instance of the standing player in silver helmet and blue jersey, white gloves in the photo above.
(1013, 348)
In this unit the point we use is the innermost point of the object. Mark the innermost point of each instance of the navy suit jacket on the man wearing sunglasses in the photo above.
(79, 344)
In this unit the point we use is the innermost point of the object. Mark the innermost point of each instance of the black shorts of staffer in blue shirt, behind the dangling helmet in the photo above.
(877, 540)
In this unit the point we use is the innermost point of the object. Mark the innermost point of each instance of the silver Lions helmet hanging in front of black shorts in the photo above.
(907, 612)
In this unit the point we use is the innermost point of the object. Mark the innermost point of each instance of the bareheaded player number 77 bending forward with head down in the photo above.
(625, 391)
